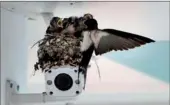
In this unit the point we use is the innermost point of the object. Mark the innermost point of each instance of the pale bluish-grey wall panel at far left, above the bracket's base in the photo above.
(13, 50)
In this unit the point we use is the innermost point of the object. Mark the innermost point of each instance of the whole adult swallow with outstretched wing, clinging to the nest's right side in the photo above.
(103, 41)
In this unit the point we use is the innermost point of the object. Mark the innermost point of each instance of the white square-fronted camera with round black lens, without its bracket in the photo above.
(63, 82)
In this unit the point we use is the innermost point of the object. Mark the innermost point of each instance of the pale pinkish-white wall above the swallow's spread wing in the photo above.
(150, 19)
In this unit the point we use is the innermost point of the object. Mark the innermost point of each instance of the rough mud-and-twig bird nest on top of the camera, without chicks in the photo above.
(58, 50)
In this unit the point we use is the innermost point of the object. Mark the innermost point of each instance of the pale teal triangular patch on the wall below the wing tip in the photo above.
(152, 59)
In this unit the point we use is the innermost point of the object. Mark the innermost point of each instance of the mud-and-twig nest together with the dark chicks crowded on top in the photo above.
(58, 49)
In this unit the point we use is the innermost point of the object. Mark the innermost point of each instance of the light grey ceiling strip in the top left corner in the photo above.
(34, 8)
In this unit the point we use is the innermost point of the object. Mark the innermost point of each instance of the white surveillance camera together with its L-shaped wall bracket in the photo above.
(68, 95)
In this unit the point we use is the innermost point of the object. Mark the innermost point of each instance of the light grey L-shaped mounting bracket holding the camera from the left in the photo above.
(13, 97)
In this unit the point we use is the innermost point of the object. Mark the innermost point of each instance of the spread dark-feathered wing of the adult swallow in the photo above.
(109, 39)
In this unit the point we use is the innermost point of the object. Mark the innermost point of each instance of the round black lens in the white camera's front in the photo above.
(63, 82)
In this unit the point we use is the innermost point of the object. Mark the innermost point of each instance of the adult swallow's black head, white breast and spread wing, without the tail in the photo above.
(110, 39)
